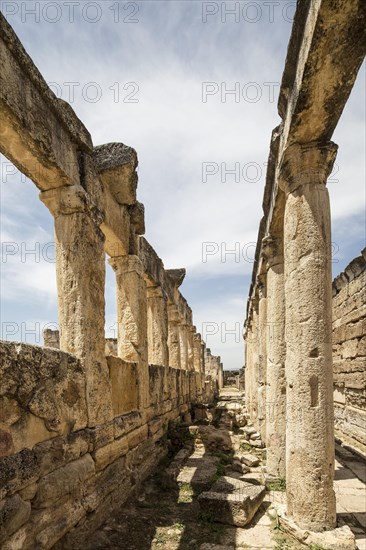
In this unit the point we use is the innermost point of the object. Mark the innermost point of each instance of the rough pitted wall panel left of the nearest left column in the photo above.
(42, 395)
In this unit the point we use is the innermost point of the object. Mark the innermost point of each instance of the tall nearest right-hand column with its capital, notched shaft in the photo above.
(309, 375)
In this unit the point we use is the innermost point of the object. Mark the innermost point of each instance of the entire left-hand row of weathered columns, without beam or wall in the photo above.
(150, 330)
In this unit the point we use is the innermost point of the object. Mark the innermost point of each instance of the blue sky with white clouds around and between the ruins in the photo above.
(193, 88)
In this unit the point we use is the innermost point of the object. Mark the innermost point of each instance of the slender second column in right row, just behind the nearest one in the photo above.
(276, 355)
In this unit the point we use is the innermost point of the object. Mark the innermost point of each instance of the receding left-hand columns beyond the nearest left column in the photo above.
(150, 330)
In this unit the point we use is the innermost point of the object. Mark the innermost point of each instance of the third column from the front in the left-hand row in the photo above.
(157, 326)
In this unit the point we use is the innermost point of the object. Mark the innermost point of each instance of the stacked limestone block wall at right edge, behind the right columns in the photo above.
(349, 353)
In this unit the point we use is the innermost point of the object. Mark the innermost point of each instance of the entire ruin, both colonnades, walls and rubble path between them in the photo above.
(84, 420)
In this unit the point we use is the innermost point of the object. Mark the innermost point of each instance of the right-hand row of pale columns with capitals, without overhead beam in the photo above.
(289, 375)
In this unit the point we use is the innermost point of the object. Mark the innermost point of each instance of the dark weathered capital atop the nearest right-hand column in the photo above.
(306, 163)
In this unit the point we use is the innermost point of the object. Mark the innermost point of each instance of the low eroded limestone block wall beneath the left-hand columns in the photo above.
(56, 473)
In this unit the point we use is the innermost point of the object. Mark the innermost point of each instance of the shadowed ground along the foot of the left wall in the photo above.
(165, 513)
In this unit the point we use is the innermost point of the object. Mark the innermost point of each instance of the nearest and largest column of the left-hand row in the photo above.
(80, 275)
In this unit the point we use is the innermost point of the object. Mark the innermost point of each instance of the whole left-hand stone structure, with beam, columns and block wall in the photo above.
(83, 420)
